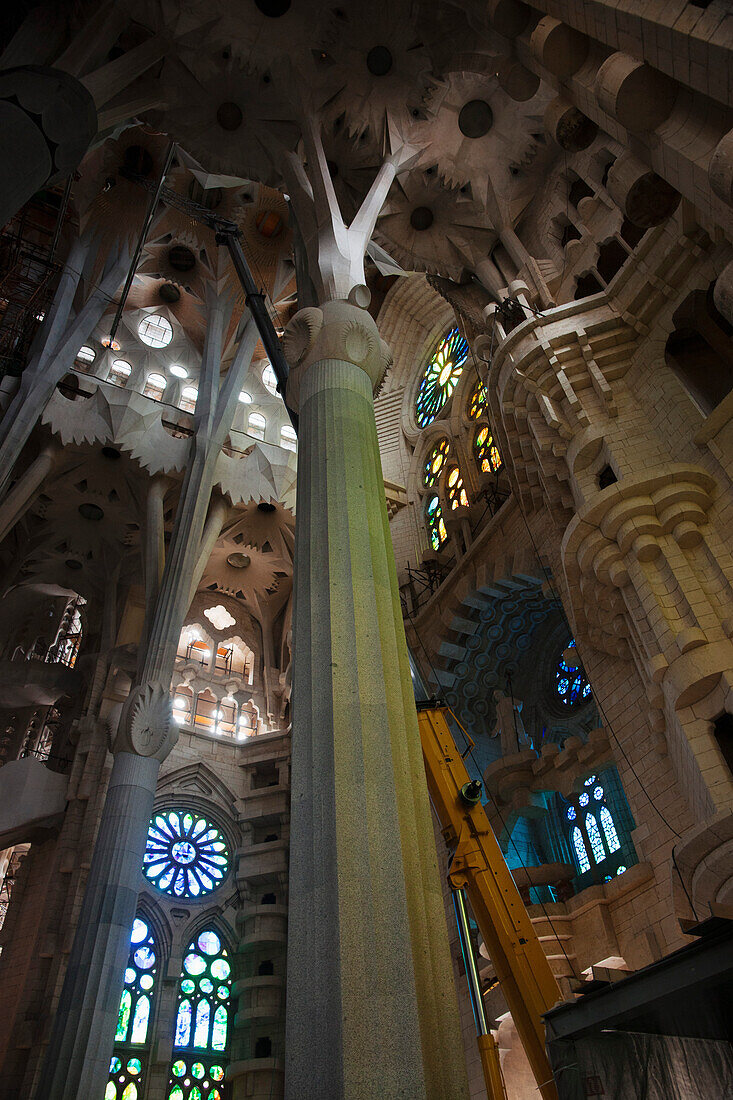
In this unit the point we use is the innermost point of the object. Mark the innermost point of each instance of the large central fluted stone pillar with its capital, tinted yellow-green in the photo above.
(371, 1007)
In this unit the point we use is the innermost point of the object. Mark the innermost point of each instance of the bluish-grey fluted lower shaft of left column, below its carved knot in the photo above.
(81, 1048)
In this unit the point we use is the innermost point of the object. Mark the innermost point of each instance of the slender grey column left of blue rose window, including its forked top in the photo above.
(83, 1037)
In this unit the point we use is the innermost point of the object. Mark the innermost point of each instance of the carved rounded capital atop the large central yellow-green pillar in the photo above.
(340, 329)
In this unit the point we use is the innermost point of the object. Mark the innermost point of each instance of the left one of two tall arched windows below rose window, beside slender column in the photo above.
(127, 1070)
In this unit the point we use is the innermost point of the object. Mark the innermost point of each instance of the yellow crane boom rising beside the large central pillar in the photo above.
(479, 868)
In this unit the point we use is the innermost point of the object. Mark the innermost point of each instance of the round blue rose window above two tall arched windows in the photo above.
(185, 855)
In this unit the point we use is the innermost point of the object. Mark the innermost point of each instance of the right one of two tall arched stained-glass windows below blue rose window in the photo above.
(202, 1029)
